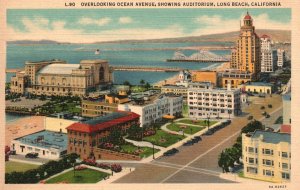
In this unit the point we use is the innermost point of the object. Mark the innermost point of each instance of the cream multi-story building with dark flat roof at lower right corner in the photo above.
(267, 156)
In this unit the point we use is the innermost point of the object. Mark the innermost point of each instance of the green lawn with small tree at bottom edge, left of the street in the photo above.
(81, 176)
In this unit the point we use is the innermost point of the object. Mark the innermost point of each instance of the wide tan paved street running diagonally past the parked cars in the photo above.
(198, 163)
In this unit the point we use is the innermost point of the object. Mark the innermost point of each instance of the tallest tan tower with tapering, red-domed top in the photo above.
(246, 56)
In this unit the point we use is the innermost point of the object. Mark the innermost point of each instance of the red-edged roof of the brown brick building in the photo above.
(103, 122)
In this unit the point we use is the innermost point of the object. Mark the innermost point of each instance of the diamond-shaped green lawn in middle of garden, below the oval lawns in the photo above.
(164, 139)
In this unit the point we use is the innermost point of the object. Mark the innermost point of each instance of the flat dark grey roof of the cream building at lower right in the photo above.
(272, 137)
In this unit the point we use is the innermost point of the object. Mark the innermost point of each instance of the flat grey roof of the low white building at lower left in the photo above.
(46, 139)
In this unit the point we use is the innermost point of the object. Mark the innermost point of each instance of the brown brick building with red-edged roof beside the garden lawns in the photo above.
(84, 138)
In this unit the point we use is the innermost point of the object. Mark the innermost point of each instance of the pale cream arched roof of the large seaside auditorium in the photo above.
(59, 69)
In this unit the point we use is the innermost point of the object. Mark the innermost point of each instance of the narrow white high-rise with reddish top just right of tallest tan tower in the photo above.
(266, 57)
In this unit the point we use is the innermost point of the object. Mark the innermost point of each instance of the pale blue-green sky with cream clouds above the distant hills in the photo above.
(90, 25)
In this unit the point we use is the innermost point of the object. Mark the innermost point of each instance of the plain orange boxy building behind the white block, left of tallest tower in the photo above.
(205, 76)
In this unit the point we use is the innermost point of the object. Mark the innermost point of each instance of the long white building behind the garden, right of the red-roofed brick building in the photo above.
(154, 108)
